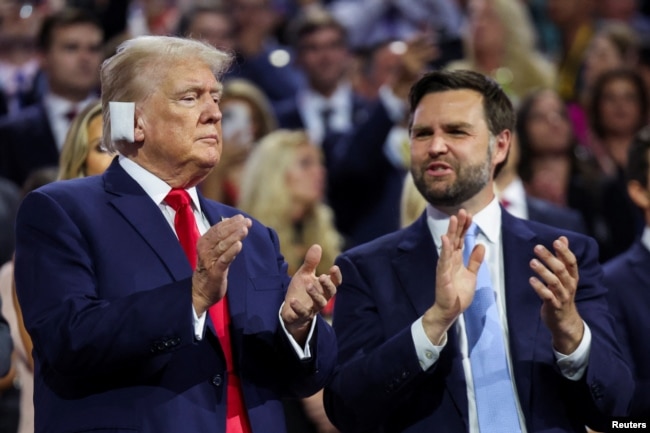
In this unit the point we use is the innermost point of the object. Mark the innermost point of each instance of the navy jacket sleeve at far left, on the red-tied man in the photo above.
(76, 331)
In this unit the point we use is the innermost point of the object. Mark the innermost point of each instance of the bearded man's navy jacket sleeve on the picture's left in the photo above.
(376, 373)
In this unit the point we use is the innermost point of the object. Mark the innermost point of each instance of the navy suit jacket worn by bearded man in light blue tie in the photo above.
(389, 283)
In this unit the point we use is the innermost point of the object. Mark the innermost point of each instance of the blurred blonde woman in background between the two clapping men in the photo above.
(284, 187)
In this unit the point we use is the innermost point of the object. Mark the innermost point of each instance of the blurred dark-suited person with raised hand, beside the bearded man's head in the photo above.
(366, 167)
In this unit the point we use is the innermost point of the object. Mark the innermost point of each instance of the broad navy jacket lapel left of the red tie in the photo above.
(130, 200)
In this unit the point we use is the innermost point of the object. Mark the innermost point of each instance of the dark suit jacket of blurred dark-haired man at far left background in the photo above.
(26, 143)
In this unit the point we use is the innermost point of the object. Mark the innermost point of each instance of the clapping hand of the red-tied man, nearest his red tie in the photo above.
(216, 249)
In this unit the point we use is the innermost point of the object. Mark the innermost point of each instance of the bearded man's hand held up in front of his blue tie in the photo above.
(455, 282)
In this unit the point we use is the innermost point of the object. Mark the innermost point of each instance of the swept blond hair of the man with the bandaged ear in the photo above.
(134, 72)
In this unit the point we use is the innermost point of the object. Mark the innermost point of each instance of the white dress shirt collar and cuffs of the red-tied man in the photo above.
(158, 189)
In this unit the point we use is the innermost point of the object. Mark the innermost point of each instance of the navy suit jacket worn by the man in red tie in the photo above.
(106, 294)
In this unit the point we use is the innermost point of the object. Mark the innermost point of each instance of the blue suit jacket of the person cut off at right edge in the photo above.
(627, 277)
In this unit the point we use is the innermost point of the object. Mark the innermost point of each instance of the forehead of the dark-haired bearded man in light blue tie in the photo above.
(450, 105)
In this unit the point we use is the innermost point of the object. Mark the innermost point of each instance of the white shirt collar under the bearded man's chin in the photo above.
(487, 219)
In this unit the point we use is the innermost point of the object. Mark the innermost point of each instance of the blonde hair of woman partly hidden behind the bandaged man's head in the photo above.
(72, 162)
